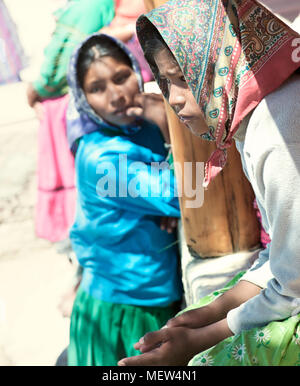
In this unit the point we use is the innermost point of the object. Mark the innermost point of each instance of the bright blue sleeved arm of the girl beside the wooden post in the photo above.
(123, 181)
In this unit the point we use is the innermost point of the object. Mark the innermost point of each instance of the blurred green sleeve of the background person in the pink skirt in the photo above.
(74, 22)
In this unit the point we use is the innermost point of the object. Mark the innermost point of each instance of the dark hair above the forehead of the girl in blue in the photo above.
(95, 48)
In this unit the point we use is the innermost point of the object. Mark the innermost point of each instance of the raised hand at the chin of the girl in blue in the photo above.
(151, 106)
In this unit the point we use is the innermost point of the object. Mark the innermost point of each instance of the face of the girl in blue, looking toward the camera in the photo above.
(110, 87)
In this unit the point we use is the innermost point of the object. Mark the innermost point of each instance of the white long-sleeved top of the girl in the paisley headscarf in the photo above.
(270, 153)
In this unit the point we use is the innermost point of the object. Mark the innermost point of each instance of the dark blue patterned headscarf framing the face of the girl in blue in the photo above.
(81, 118)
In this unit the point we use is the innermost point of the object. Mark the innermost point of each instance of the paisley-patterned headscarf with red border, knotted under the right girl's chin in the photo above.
(232, 53)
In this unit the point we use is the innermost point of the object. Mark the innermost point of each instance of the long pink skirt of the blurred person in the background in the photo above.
(56, 197)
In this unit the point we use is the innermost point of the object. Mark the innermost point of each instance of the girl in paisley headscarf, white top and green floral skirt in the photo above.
(229, 70)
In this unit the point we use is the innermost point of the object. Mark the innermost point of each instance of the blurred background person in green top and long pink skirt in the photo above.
(55, 207)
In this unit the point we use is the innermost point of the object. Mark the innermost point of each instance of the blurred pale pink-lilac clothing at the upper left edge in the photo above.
(12, 56)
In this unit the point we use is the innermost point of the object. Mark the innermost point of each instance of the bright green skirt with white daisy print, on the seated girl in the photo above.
(276, 344)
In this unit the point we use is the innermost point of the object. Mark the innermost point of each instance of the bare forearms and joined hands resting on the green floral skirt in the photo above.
(191, 332)
